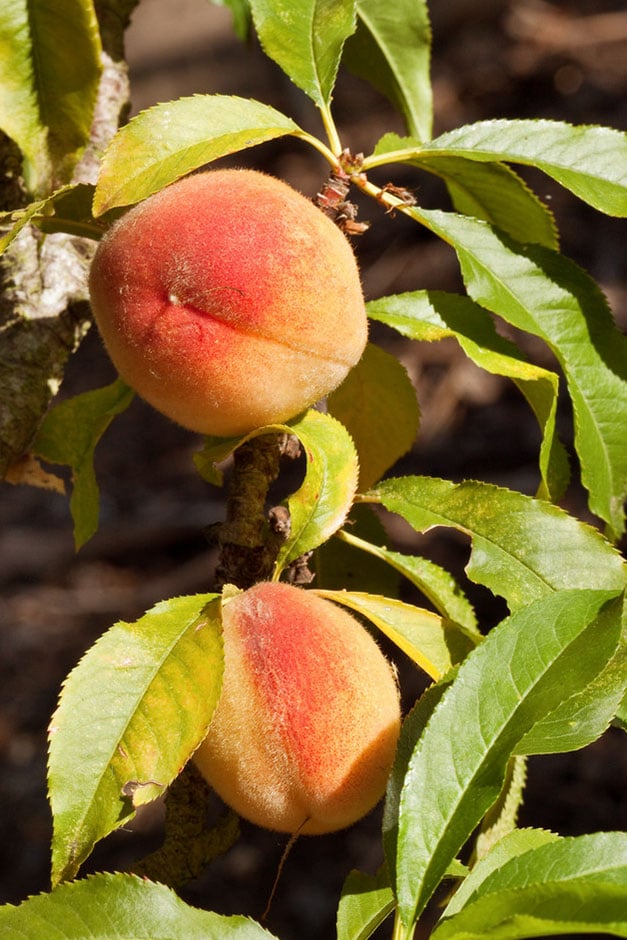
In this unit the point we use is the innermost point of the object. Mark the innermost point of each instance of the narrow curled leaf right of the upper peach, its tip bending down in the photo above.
(434, 315)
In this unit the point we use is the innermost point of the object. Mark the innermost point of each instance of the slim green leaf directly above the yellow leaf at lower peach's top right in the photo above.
(435, 582)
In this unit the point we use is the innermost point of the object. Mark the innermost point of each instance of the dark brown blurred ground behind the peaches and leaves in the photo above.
(523, 58)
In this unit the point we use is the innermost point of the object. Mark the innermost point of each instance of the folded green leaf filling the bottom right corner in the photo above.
(564, 886)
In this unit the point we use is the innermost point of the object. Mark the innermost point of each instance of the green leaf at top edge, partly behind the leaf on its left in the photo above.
(392, 50)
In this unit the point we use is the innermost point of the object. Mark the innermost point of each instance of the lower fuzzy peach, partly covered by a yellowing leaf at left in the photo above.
(305, 732)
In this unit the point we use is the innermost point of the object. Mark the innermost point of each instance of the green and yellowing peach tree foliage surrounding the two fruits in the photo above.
(549, 678)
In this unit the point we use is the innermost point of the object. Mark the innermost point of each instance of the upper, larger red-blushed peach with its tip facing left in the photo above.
(228, 301)
